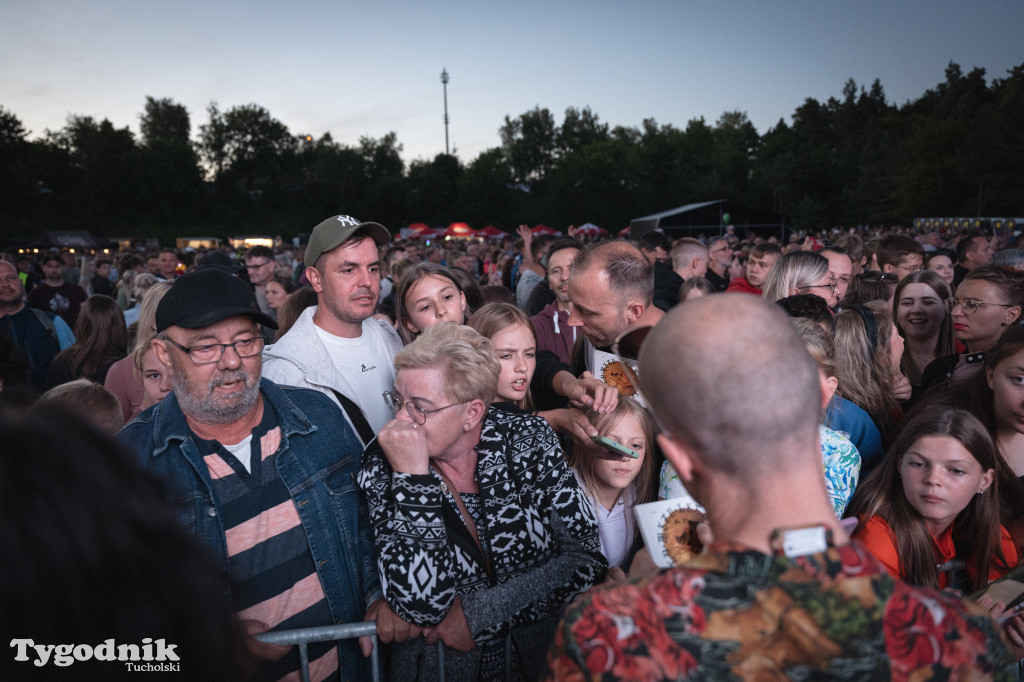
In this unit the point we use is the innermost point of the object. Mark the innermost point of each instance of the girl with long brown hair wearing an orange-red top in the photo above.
(935, 498)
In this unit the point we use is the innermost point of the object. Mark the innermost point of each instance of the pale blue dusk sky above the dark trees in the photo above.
(366, 69)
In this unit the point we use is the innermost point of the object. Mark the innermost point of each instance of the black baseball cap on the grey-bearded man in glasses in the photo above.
(206, 296)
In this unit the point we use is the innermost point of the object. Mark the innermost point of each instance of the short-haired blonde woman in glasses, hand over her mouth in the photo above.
(482, 533)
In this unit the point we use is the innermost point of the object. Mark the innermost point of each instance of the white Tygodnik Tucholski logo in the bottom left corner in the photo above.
(150, 656)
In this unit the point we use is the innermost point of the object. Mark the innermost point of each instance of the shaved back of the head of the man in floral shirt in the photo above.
(731, 379)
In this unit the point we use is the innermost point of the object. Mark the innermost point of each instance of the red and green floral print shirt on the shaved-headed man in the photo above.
(737, 614)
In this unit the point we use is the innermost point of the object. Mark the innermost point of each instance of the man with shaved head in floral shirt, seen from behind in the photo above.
(782, 592)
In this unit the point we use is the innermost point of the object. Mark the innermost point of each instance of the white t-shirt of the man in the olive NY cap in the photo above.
(361, 366)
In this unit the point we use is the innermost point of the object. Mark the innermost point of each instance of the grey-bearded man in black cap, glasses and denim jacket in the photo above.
(264, 475)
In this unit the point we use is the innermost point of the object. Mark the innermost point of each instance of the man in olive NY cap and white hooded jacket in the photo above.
(336, 348)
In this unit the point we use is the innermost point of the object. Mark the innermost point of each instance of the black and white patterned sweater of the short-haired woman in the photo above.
(539, 530)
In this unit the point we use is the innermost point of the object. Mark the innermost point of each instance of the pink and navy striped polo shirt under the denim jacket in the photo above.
(275, 580)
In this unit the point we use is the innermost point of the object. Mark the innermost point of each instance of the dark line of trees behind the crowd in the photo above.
(856, 159)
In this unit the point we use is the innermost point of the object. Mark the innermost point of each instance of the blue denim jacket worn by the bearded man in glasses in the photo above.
(318, 461)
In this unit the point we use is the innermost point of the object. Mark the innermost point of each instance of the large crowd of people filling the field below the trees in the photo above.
(452, 441)
